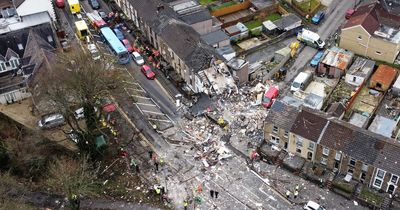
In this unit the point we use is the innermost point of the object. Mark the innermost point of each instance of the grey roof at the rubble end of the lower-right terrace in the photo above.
(282, 115)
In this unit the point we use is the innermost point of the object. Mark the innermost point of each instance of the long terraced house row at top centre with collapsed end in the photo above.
(179, 44)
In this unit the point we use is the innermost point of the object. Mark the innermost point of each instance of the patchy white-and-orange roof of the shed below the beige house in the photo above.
(338, 57)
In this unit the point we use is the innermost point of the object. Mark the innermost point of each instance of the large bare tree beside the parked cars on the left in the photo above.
(78, 81)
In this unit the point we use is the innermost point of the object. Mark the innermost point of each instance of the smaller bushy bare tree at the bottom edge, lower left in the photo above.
(74, 178)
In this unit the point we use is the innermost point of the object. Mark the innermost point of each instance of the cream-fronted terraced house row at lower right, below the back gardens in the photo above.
(353, 152)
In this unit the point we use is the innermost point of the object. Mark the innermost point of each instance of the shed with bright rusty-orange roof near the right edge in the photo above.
(383, 78)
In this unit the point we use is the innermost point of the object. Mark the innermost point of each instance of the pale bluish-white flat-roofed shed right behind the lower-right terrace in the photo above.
(383, 126)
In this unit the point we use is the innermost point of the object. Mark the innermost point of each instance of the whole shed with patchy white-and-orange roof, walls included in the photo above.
(335, 62)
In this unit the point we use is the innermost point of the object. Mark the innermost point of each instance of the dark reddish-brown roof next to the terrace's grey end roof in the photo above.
(309, 125)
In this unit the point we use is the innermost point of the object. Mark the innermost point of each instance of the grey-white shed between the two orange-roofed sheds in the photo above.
(359, 71)
